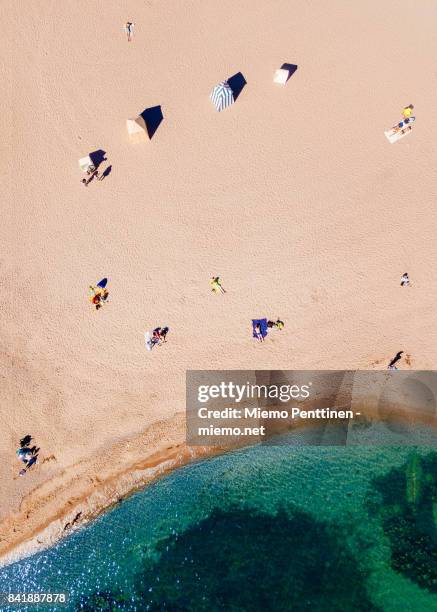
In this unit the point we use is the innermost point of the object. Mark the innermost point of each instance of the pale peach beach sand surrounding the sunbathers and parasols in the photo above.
(293, 196)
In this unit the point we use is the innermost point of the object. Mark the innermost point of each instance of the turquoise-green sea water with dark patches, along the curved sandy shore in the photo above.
(265, 528)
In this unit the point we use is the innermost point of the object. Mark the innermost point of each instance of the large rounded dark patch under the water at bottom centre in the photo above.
(241, 559)
